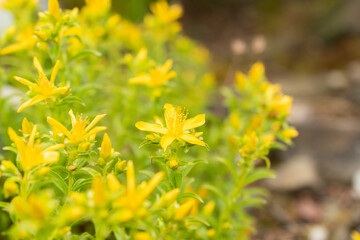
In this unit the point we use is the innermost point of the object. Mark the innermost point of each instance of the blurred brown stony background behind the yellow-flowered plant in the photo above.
(312, 48)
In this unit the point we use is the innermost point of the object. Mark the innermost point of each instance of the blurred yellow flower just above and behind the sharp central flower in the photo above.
(156, 77)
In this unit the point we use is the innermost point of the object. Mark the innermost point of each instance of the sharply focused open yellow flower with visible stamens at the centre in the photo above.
(176, 126)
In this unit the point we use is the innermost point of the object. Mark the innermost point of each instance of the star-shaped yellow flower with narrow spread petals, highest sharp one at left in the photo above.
(44, 88)
